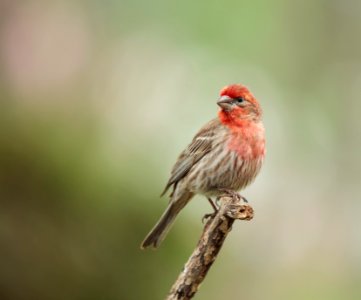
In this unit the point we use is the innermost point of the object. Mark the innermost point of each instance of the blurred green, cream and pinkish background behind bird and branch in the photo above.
(97, 99)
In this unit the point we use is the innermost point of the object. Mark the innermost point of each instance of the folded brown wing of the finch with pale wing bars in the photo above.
(200, 146)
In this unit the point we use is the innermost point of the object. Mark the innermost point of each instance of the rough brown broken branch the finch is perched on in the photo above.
(210, 243)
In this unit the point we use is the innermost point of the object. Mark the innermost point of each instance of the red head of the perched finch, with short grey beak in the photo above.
(237, 102)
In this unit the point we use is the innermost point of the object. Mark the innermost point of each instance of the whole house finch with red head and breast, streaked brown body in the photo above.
(225, 155)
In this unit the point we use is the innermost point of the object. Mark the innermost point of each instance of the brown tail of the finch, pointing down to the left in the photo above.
(160, 230)
